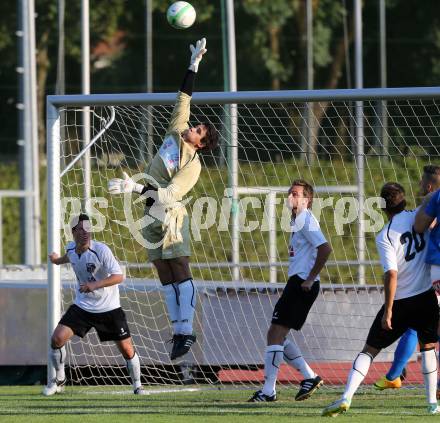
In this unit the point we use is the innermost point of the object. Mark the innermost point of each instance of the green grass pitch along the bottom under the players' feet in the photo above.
(118, 405)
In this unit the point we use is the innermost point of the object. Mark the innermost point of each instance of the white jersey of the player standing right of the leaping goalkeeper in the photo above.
(305, 239)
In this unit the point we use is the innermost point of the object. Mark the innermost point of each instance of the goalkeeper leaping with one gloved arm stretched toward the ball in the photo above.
(175, 169)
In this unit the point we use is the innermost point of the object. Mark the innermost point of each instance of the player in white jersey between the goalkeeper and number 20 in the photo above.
(308, 253)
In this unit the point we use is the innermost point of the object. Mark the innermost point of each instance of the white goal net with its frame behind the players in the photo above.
(239, 224)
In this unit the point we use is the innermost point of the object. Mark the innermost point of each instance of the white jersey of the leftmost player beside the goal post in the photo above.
(96, 263)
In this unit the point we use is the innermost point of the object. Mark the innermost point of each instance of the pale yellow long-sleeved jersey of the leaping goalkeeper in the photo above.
(176, 166)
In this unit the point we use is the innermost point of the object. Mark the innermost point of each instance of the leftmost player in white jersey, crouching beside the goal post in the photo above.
(96, 304)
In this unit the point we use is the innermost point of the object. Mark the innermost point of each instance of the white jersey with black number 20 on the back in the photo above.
(402, 249)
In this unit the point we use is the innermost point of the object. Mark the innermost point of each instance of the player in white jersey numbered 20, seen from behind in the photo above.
(410, 301)
